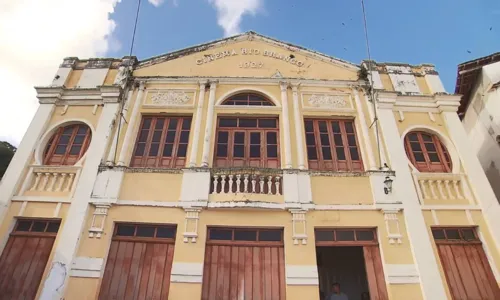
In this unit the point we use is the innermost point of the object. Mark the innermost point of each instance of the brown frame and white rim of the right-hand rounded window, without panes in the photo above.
(446, 161)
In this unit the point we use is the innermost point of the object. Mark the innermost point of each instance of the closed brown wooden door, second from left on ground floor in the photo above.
(139, 263)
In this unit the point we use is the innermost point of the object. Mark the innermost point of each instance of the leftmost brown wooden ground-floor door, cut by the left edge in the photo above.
(24, 258)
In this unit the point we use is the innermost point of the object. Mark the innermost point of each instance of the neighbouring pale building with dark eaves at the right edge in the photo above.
(479, 83)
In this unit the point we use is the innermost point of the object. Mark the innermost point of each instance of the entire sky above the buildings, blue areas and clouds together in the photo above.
(420, 31)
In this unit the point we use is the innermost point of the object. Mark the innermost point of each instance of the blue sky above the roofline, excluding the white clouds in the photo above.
(424, 31)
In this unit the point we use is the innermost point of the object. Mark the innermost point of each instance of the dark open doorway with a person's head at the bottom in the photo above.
(345, 266)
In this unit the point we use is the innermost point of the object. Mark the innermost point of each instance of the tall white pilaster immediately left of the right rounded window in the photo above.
(427, 265)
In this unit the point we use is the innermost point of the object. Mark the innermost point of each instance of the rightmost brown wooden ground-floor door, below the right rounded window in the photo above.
(465, 264)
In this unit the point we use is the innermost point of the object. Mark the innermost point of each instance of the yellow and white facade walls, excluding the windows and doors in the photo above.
(104, 187)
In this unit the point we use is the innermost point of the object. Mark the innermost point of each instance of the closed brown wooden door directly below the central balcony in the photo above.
(244, 264)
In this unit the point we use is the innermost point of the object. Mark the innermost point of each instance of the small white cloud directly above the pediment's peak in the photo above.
(230, 13)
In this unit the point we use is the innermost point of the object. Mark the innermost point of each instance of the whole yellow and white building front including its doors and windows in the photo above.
(246, 168)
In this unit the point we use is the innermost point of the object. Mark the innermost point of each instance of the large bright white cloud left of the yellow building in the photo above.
(35, 36)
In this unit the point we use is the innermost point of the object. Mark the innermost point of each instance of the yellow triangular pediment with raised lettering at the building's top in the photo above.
(248, 55)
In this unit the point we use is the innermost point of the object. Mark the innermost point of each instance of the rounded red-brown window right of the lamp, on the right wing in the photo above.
(427, 153)
